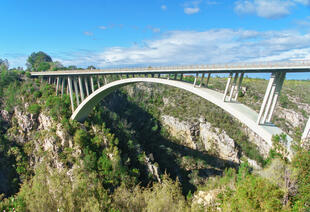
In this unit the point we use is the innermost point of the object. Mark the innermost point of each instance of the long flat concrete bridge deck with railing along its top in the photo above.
(223, 68)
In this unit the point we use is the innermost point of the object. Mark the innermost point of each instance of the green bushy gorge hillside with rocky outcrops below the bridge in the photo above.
(147, 147)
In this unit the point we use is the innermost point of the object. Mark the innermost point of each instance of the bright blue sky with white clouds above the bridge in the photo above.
(155, 32)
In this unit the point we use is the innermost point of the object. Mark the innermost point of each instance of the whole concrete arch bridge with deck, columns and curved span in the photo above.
(82, 83)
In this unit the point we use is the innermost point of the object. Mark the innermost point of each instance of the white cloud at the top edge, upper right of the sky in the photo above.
(273, 9)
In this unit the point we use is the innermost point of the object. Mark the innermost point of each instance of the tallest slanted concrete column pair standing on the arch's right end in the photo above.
(271, 97)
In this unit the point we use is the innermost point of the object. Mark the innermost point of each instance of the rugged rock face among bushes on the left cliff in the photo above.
(54, 138)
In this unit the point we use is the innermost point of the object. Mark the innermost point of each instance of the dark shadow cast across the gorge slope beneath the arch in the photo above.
(132, 125)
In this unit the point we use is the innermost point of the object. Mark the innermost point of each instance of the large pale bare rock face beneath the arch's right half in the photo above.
(213, 139)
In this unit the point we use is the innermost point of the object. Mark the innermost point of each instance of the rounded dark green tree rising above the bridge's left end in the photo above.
(36, 58)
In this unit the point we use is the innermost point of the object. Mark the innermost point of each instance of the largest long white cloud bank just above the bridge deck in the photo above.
(207, 47)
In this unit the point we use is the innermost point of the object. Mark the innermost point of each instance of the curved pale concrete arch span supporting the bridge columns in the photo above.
(243, 113)
